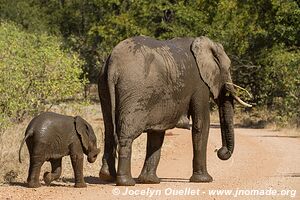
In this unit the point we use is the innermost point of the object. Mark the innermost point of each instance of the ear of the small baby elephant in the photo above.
(81, 128)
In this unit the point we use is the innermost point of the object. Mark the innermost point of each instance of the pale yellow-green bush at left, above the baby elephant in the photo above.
(34, 71)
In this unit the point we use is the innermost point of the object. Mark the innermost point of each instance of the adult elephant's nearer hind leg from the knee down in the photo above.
(124, 177)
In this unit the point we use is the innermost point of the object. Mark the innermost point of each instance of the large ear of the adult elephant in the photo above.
(213, 63)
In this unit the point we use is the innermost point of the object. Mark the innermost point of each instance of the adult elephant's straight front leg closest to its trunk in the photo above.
(200, 130)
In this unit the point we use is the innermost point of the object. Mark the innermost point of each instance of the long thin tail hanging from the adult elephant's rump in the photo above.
(112, 94)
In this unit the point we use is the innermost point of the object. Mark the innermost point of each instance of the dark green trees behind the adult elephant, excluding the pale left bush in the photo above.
(261, 37)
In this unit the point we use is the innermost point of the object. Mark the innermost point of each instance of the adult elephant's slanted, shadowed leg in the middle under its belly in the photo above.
(154, 143)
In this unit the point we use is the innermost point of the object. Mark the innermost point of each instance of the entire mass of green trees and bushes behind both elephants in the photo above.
(47, 48)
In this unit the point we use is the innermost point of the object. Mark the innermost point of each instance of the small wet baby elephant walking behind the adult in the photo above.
(49, 137)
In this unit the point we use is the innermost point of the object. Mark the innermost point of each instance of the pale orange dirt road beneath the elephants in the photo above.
(265, 165)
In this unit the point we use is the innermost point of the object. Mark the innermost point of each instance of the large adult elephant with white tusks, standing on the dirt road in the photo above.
(149, 86)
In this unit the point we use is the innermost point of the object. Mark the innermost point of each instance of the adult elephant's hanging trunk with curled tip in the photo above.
(225, 103)
